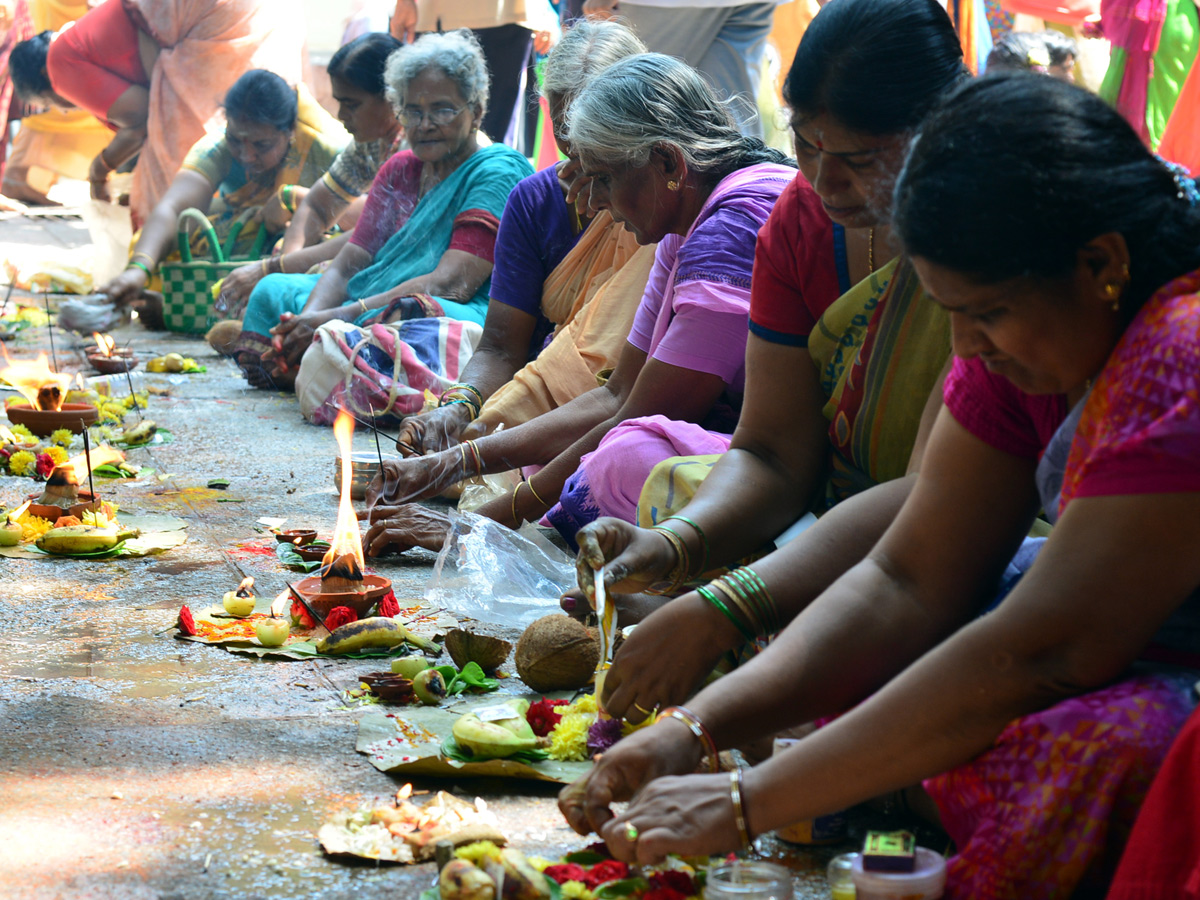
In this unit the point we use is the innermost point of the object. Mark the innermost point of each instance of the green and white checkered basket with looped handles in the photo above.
(188, 284)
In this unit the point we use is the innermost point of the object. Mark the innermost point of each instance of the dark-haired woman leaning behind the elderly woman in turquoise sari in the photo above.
(356, 74)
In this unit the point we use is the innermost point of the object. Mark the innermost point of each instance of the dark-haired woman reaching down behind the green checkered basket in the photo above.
(275, 135)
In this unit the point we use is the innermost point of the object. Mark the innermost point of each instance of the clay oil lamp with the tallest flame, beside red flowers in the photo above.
(343, 580)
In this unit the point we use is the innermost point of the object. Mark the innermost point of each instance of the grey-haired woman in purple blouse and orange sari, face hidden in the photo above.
(551, 310)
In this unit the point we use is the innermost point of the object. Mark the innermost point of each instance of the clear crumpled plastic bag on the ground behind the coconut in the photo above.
(496, 575)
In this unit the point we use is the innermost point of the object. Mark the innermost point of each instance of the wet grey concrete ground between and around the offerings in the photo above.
(137, 766)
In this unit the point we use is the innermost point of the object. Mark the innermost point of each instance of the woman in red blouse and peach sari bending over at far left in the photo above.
(155, 71)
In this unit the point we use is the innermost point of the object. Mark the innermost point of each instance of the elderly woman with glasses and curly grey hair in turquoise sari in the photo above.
(425, 243)
